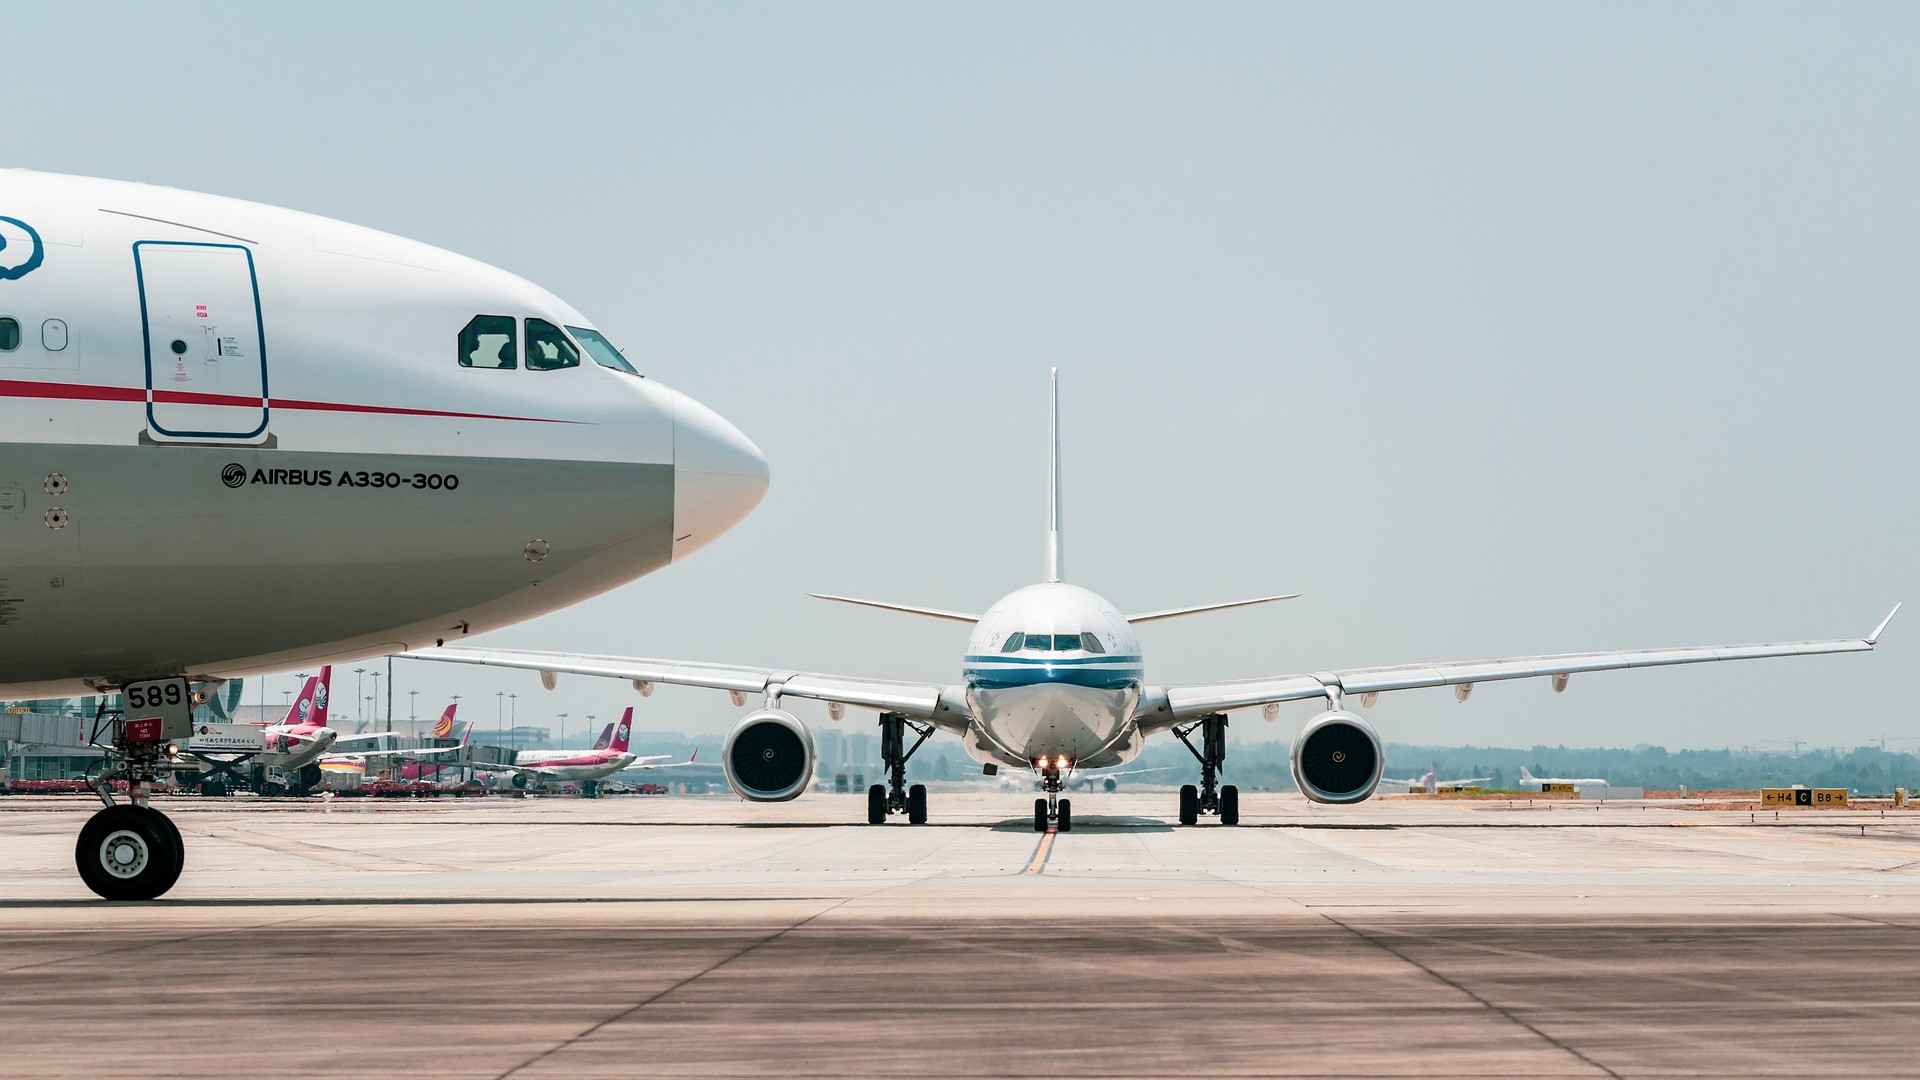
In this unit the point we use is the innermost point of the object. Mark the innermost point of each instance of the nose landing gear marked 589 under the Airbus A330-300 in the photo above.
(130, 850)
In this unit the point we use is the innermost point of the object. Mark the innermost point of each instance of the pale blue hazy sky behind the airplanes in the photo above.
(1491, 328)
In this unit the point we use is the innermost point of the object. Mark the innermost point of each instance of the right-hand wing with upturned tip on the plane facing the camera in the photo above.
(1184, 702)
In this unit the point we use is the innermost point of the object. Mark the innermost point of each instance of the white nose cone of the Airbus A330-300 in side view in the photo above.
(719, 476)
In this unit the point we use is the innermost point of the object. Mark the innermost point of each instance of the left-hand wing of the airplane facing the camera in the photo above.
(921, 700)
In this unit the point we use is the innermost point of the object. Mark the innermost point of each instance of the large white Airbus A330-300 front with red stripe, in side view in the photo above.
(264, 439)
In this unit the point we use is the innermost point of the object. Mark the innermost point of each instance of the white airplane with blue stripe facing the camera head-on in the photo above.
(1053, 681)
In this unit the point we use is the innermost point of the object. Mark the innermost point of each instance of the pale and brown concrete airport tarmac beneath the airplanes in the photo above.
(706, 937)
